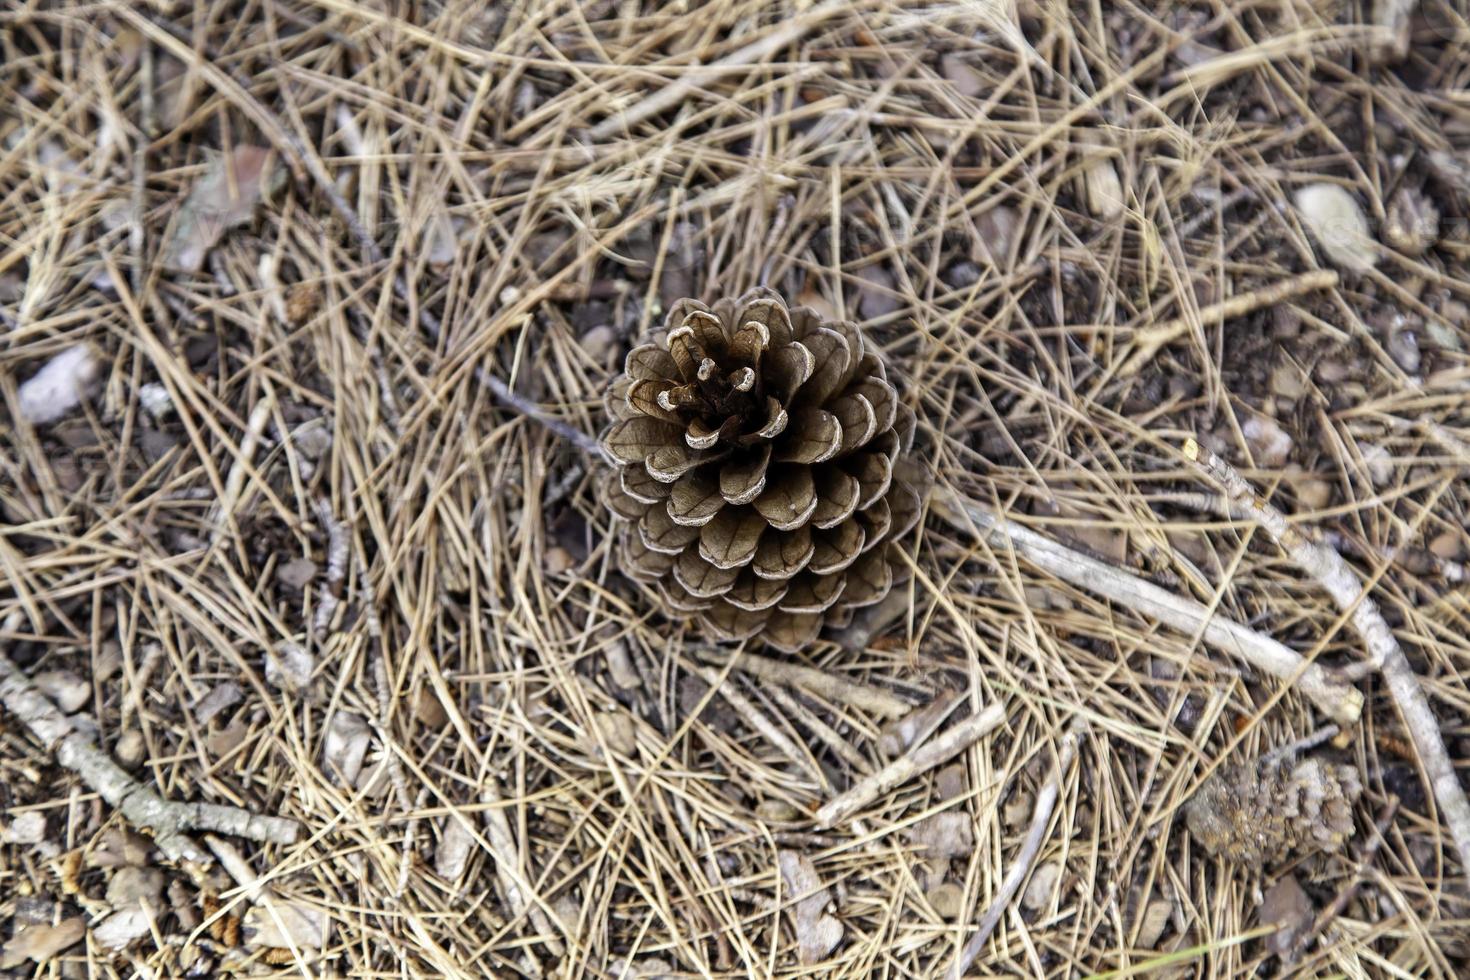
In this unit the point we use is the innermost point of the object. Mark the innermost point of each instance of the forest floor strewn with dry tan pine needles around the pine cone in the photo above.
(308, 315)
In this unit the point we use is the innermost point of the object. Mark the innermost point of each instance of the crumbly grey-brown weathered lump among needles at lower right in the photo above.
(1262, 812)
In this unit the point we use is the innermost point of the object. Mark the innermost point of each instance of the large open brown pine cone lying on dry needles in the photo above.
(755, 453)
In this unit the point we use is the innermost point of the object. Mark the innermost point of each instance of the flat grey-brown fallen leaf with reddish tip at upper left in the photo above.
(226, 198)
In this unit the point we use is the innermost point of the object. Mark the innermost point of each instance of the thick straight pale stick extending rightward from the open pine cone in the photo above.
(1334, 697)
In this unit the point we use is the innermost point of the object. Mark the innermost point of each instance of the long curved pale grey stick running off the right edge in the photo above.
(1328, 568)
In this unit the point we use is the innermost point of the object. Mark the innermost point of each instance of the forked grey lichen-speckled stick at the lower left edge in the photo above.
(168, 822)
